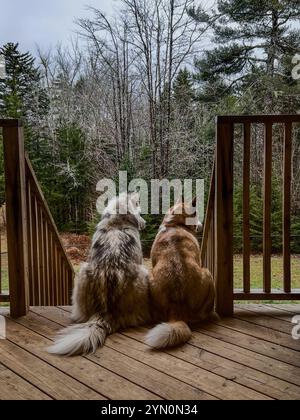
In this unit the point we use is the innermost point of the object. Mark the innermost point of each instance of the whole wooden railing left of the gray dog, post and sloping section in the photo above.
(40, 272)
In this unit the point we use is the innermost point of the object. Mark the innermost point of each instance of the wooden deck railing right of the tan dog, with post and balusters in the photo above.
(217, 246)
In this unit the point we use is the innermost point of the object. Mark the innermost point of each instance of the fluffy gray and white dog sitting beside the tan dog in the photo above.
(112, 289)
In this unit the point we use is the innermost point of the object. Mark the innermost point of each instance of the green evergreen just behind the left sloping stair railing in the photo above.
(68, 181)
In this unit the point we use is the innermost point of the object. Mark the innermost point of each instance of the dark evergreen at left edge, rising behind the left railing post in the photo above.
(22, 96)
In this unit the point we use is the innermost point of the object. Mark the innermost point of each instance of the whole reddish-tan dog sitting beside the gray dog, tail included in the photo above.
(181, 291)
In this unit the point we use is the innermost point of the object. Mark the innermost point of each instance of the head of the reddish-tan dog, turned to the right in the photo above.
(184, 214)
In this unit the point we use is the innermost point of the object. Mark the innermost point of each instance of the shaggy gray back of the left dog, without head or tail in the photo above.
(110, 269)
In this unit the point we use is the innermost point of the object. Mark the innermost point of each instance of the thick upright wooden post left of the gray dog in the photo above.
(15, 188)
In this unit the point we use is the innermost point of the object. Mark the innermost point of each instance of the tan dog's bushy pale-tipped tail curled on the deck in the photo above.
(170, 334)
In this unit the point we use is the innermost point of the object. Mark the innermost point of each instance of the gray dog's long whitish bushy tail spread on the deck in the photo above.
(81, 339)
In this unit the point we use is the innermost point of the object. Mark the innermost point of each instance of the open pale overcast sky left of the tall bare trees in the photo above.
(43, 22)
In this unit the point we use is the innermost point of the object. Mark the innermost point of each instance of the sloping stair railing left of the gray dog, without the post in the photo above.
(50, 271)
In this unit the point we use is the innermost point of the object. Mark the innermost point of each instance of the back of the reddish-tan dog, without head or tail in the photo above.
(180, 288)
